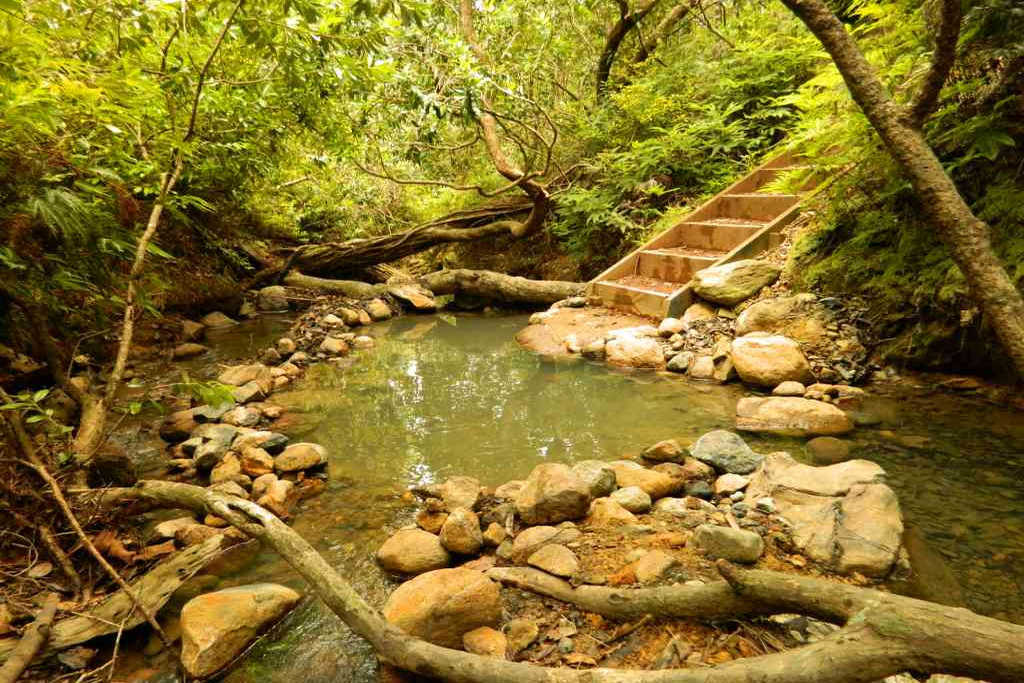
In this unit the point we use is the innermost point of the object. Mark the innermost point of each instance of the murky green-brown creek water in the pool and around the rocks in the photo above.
(444, 396)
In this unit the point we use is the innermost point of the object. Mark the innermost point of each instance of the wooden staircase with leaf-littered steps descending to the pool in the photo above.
(740, 223)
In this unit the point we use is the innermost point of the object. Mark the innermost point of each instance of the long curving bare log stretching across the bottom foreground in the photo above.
(883, 634)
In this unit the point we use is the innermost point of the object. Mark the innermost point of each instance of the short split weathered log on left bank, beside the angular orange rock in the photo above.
(153, 590)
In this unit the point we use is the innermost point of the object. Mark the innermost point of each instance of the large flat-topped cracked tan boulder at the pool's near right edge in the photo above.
(843, 517)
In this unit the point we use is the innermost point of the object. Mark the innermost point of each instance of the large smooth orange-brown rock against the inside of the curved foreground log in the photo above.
(442, 607)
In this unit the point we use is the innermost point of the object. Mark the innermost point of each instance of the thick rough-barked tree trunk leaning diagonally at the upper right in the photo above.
(967, 237)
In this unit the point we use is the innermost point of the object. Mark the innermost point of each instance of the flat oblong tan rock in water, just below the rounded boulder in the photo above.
(789, 416)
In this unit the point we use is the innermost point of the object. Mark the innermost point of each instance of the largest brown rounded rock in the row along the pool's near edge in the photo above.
(553, 494)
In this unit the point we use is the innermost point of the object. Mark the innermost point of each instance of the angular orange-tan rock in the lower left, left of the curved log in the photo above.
(217, 627)
